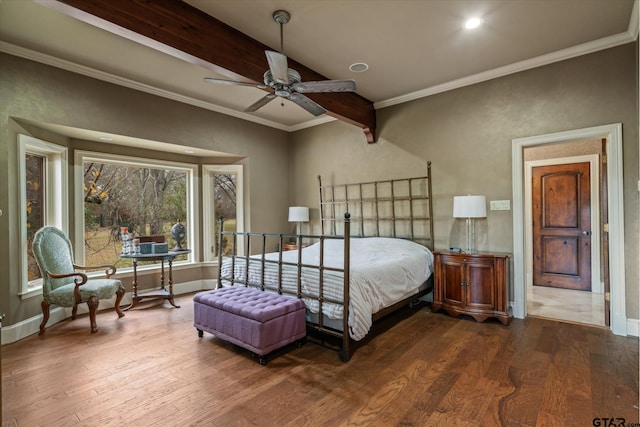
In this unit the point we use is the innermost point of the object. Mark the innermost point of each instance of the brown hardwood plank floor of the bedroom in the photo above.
(420, 369)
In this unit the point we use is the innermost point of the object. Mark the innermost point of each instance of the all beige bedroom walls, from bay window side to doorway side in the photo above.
(467, 134)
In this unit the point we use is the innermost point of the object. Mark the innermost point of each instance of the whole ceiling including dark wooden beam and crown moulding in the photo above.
(413, 48)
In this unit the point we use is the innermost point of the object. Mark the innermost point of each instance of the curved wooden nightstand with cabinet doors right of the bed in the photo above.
(472, 284)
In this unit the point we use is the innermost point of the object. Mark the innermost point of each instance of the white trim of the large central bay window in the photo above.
(193, 207)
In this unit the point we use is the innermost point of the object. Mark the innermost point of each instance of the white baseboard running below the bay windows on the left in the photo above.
(31, 326)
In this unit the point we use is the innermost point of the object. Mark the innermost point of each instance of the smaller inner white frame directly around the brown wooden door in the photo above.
(597, 286)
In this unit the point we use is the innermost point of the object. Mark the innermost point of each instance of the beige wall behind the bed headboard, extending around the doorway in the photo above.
(467, 134)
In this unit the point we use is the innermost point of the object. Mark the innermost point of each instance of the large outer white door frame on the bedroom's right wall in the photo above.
(613, 135)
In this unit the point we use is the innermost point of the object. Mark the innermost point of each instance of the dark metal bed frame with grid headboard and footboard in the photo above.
(400, 208)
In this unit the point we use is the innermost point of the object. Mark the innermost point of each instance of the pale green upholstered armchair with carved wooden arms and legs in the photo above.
(62, 285)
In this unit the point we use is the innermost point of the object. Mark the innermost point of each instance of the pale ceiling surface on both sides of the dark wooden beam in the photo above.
(413, 48)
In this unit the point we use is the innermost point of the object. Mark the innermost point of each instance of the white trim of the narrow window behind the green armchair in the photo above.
(56, 199)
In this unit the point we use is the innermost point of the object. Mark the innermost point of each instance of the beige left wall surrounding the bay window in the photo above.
(42, 94)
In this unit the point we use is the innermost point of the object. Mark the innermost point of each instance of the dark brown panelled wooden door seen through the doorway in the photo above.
(561, 202)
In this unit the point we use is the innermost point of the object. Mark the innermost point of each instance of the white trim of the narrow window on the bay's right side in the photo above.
(208, 230)
